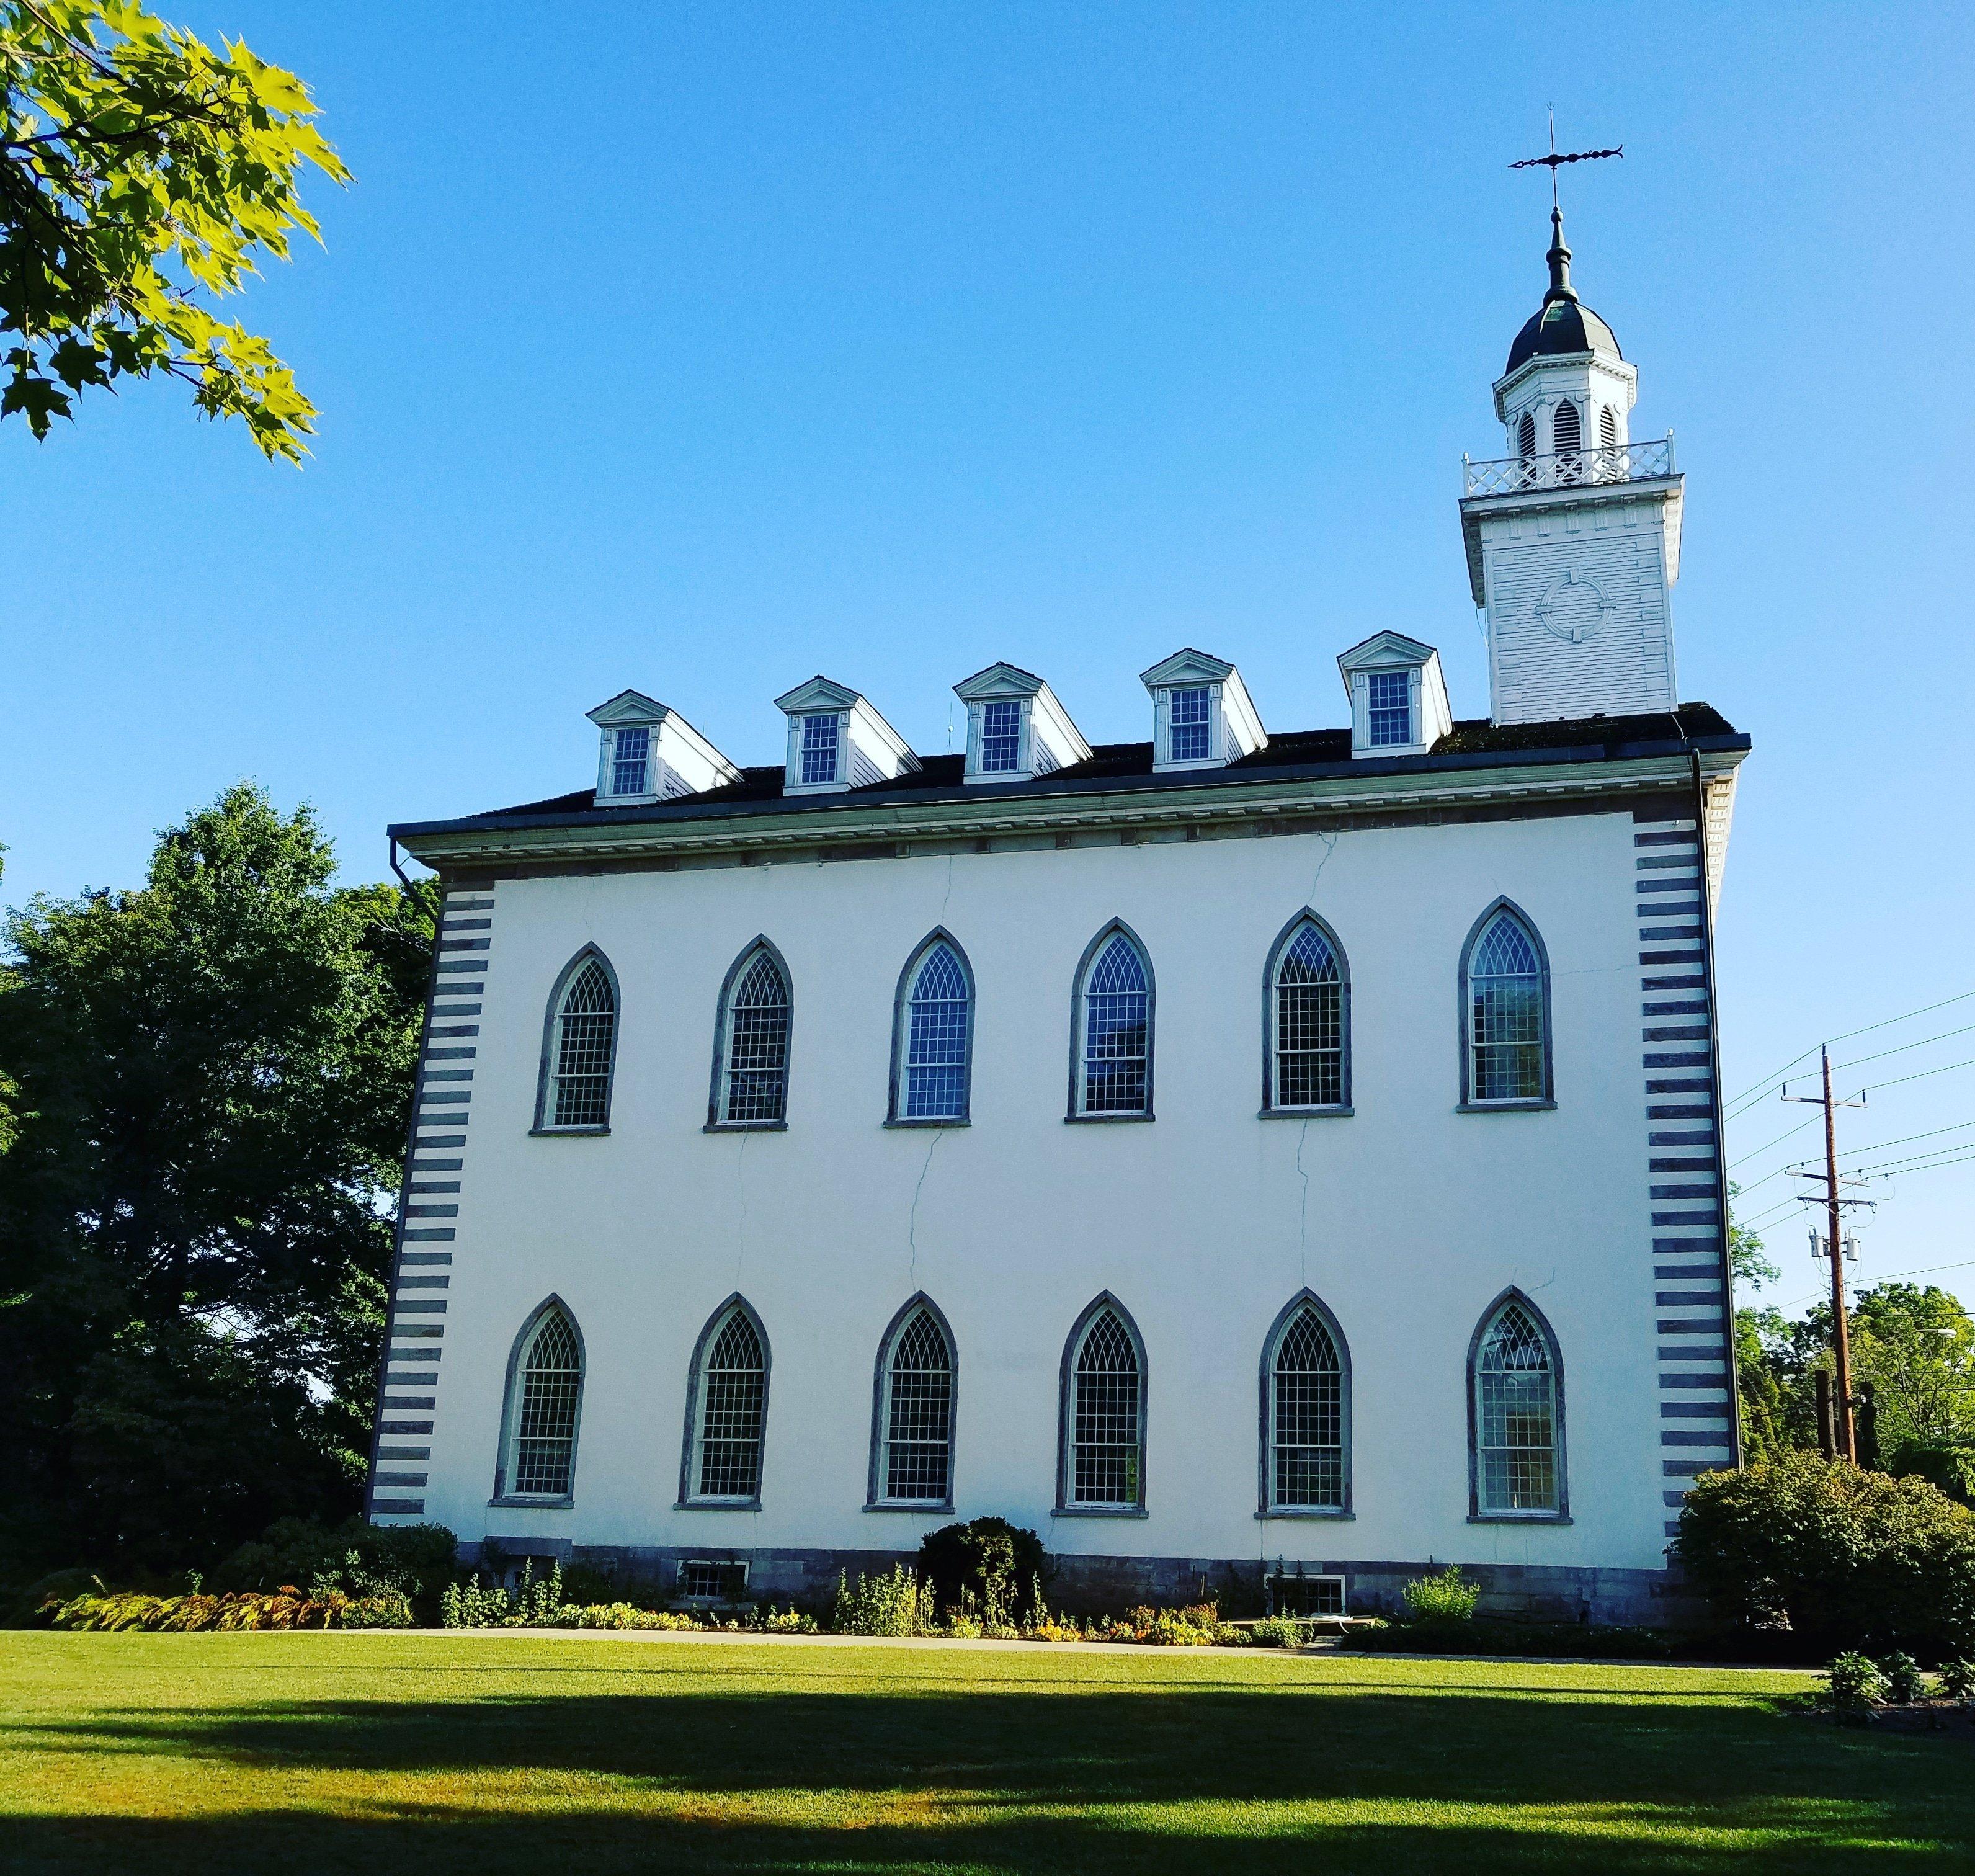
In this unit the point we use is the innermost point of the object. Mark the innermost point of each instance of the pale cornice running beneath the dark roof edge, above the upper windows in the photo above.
(836, 821)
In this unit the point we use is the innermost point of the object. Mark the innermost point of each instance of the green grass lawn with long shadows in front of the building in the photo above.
(408, 1757)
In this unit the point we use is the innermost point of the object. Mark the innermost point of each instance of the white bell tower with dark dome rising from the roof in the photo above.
(1575, 536)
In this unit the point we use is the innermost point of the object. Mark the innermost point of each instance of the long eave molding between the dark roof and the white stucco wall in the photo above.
(836, 826)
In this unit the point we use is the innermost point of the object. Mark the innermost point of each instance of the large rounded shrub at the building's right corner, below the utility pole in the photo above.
(1834, 1553)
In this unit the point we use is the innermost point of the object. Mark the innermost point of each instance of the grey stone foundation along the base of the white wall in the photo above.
(1109, 1585)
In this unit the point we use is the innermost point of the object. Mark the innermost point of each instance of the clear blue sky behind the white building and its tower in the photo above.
(700, 349)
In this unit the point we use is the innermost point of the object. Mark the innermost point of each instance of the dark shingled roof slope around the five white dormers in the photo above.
(1599, 738)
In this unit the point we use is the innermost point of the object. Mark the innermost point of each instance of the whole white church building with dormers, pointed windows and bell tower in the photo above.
(1265, 1162)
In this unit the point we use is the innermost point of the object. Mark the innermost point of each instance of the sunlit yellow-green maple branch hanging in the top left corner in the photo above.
(141, 177)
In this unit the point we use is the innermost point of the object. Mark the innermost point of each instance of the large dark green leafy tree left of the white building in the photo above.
(197, 1217)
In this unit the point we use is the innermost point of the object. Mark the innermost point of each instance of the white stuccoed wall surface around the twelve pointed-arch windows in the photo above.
(1417, 1215)
